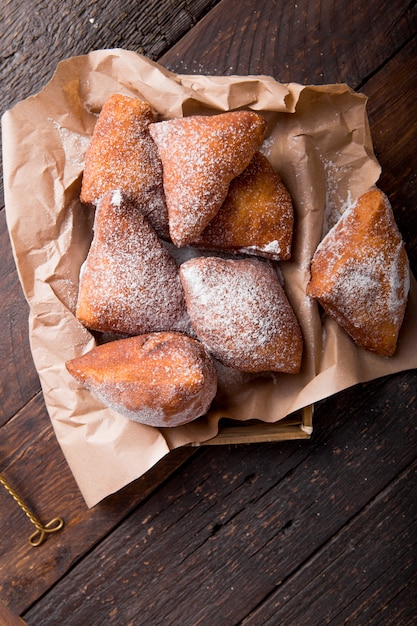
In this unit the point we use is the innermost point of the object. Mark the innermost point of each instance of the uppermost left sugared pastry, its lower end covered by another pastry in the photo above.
(122, 155)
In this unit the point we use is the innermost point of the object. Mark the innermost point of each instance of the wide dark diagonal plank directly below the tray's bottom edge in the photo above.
(220, 536)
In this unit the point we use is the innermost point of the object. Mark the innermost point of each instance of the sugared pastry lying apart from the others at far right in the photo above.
(360, 274)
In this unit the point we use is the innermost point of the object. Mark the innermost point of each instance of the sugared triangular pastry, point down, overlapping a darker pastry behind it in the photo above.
(200, 155)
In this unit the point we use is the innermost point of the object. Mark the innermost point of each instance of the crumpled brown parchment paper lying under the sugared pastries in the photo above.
(318, 139)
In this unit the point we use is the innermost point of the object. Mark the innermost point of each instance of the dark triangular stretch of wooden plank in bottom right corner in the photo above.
(375, 583)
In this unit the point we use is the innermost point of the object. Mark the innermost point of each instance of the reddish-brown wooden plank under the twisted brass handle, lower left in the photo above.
(34, 466)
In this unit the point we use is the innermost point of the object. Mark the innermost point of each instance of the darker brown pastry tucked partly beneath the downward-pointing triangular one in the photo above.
(257, 216)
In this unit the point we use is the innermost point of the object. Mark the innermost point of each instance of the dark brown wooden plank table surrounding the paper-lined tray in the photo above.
(308, 533)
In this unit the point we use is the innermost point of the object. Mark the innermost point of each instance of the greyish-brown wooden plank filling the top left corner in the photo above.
(72, 28)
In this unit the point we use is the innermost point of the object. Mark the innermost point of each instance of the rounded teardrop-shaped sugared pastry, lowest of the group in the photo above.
(160, 379)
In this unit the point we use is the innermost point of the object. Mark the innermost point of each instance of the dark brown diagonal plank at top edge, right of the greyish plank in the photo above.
(305, 42)
